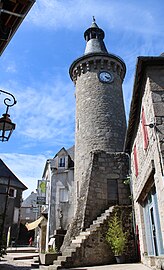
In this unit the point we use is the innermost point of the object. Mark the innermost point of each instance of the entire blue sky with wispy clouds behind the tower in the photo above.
(34, 68)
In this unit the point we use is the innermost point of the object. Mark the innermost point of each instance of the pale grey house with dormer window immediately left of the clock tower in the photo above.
(59, 177)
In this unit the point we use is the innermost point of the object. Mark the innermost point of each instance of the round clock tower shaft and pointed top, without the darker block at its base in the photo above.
(100, 114)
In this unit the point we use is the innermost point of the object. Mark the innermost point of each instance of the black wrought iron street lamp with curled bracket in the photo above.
(6, 125)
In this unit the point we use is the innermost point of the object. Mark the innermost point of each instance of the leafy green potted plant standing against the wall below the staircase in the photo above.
(116, 238)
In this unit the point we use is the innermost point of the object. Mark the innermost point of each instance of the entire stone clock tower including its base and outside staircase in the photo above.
(101, 166)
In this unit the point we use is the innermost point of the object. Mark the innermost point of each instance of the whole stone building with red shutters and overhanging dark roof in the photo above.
(145, 145)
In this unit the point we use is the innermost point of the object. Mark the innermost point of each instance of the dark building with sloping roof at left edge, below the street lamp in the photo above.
(11, 189)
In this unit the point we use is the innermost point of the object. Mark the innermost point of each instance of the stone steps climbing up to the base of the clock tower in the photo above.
(72, 255)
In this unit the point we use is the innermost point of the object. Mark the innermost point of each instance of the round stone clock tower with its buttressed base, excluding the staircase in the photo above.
(100, 163)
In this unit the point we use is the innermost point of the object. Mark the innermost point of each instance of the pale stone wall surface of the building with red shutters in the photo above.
(150, 160)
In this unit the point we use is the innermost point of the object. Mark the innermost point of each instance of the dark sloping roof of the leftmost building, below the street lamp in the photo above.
(5, 172)
